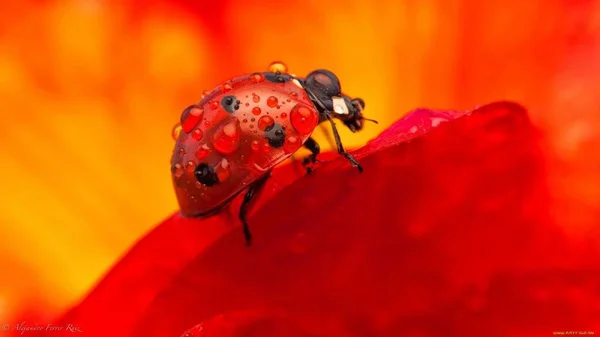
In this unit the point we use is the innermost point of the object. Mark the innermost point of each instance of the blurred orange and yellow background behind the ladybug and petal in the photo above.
(90, 90)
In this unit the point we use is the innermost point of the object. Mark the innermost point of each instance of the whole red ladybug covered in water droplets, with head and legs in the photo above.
(232, 139)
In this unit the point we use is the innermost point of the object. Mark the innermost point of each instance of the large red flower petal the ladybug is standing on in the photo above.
(444, 235)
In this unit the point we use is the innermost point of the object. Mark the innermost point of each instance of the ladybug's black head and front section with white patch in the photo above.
(326, 93)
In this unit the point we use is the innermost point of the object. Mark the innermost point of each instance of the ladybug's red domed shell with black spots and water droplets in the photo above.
(235, 135)
